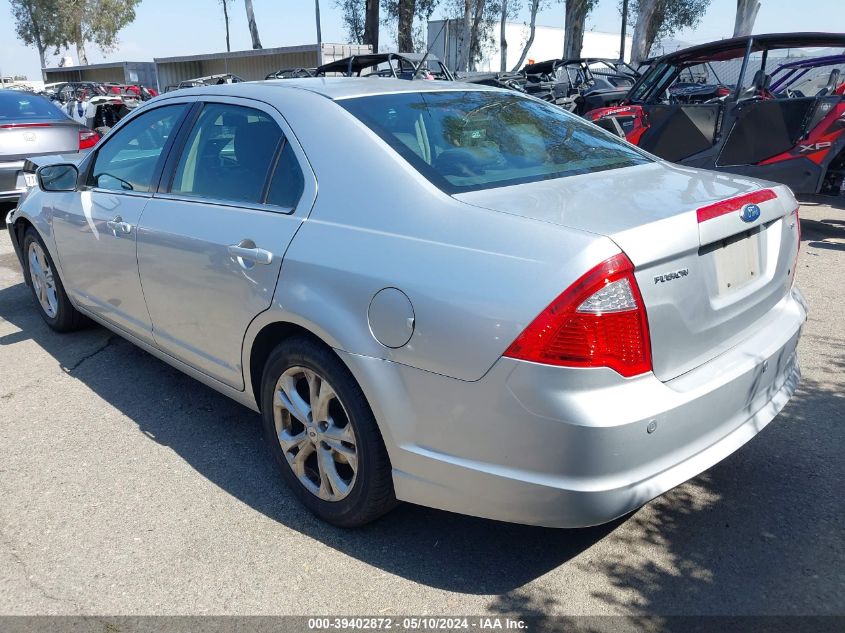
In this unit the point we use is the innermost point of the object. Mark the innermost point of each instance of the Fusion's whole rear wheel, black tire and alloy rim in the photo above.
(323, 435)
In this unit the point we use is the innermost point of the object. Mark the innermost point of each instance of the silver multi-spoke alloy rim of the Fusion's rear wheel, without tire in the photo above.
(315, 433)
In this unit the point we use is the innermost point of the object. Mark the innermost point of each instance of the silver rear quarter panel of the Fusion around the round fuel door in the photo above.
(475, 277)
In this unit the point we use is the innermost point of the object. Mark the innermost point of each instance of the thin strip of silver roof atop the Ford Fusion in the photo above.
(335, 88)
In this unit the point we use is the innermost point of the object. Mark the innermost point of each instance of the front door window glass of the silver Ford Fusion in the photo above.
(128, 160)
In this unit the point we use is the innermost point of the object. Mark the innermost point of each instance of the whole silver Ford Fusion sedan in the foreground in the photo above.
(456, 296)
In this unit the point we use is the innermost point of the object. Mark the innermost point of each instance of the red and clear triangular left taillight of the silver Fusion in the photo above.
(599, 321)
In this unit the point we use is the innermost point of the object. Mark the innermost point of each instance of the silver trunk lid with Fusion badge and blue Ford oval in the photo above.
(707, 276)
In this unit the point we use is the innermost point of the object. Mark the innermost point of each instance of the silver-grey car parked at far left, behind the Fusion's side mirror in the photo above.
(32, 126)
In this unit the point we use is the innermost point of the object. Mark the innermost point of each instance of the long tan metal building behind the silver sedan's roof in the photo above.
(251, 65)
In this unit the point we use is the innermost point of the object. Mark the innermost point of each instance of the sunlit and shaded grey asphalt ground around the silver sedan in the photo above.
(128, 488)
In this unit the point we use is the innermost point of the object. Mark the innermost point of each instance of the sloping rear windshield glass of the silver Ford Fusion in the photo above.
(470, 140)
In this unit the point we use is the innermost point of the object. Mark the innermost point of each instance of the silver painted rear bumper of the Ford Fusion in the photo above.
(571, 447)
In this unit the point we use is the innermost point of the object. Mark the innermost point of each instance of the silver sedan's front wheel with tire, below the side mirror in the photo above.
(52, 301)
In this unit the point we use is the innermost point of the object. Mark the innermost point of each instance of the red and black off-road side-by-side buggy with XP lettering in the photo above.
(769, 106)
